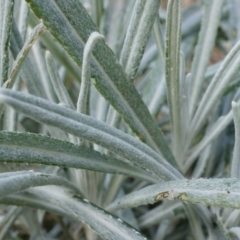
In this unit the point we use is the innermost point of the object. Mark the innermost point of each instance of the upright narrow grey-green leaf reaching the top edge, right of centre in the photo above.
(173, 39)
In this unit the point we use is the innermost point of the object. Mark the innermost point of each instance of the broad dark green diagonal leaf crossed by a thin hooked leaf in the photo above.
(69, 22)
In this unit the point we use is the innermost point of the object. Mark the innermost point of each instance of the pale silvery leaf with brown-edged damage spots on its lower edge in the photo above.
(221, 192)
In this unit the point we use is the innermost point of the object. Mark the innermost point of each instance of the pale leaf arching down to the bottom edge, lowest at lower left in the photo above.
(58, 201)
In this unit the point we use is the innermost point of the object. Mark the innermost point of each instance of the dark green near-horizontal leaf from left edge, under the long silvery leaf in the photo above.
(34, 148)
